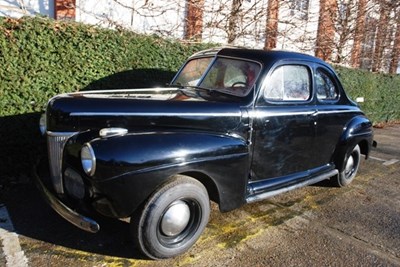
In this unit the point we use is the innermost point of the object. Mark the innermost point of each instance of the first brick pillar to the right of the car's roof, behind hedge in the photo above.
(359, 34)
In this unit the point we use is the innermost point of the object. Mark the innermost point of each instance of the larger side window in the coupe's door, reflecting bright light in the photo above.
(288, 83)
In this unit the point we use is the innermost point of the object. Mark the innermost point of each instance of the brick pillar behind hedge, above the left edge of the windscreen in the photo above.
(194, 20)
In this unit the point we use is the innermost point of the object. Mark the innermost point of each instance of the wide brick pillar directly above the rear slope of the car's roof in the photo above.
(326, 29)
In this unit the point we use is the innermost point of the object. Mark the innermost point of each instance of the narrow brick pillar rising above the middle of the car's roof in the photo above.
(271, 30)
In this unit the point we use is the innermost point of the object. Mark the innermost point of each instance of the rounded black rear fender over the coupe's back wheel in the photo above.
(357, 131)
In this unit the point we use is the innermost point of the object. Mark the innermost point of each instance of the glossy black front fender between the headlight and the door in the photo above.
(131, 167)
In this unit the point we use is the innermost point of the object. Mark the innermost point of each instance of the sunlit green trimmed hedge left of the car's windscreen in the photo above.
(40, 58)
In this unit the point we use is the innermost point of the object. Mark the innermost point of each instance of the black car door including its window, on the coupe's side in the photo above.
(284, 123)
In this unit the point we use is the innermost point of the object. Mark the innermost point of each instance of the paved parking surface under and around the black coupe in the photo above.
(317, 225)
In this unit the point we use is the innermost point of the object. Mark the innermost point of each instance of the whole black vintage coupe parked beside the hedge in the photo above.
(234, 126)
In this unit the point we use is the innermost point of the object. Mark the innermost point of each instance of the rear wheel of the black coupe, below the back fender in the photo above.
(350, 168)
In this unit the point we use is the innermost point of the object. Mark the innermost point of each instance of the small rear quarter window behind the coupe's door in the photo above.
(325, 87)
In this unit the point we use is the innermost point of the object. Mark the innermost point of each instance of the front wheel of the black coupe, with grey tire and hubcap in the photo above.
(163, 229)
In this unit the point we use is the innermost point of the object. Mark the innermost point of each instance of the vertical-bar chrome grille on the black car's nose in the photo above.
(55, 146)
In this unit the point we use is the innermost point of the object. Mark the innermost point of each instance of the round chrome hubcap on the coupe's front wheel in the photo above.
(175, 219)
